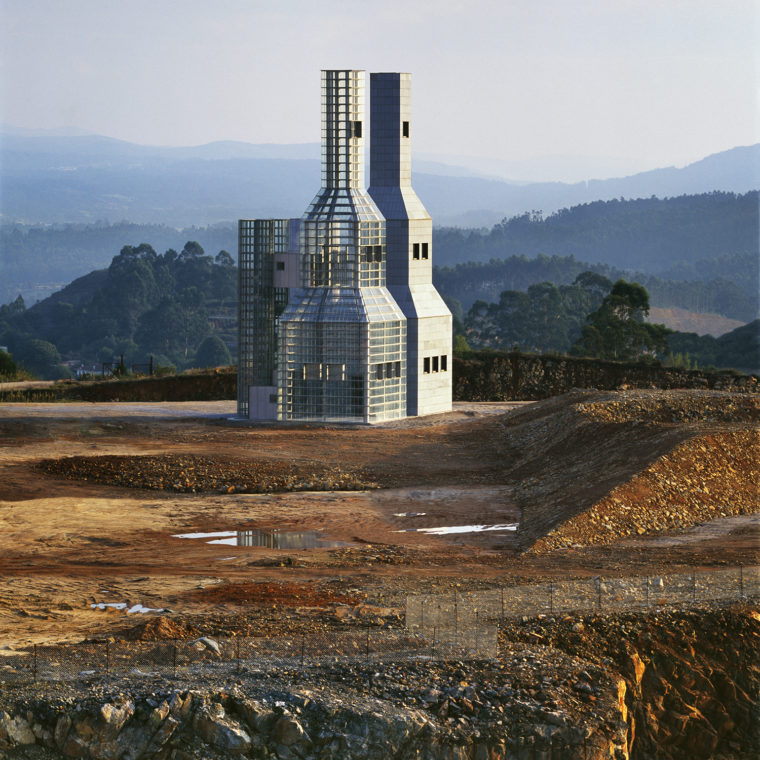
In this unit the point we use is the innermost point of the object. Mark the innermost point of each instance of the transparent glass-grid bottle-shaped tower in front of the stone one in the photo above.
(342, 337)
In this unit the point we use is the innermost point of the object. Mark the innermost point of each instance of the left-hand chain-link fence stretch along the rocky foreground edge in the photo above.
(93, 660)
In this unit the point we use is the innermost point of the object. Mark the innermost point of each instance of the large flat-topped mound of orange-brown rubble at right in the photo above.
(590, 460)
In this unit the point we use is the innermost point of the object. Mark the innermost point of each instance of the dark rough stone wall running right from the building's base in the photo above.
(514, 376)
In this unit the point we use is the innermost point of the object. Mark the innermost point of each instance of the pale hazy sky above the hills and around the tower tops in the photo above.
(659, 82)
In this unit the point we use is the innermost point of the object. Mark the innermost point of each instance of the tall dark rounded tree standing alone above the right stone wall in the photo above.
(617, 330)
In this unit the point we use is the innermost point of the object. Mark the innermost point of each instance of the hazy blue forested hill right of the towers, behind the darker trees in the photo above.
(660, 236)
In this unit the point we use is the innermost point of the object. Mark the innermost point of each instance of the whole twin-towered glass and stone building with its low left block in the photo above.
(338, 317)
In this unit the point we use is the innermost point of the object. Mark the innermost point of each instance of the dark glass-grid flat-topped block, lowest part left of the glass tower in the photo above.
(259, 302)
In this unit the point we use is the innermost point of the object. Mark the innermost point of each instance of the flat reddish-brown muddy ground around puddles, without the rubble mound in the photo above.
(70, 547)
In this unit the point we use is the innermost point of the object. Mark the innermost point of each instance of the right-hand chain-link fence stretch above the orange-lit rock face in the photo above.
(457, 616)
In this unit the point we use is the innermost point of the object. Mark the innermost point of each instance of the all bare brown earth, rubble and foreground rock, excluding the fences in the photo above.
(591, 484)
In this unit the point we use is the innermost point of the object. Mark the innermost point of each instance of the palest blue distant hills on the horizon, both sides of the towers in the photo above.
(86, 178)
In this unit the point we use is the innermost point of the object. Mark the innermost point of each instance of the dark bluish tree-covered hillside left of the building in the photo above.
(144, 304)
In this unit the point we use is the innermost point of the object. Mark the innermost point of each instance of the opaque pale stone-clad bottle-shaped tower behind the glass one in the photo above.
(409, 246)
